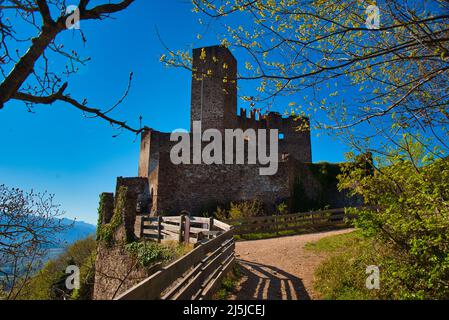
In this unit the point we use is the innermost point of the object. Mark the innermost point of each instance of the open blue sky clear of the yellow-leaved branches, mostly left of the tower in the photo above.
(58, 150)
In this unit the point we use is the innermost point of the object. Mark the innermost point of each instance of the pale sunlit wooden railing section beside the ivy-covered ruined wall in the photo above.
(181, 228)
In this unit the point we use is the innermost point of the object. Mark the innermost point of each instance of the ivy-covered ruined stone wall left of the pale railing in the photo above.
(115, 269)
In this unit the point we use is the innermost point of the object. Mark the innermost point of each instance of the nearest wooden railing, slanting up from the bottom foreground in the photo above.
(195, 276)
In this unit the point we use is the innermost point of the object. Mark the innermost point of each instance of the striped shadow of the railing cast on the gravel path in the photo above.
(264, 282)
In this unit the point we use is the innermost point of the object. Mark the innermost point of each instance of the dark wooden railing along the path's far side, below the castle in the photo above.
(290, 222)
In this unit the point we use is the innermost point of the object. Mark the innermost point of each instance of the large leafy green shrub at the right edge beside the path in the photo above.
(410, 189)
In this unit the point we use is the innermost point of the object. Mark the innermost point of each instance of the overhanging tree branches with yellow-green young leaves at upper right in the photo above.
(331, 59)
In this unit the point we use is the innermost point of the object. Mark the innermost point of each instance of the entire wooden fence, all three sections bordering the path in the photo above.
(198, 274)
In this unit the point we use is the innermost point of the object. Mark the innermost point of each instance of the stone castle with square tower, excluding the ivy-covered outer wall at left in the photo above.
(165, 188)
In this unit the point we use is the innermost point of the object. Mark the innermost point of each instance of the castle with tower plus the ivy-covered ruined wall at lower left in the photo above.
(164, 188)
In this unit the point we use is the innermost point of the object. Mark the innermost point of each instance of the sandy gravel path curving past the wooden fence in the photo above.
(280, 268)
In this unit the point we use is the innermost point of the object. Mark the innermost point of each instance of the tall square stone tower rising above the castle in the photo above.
(214, 88)
